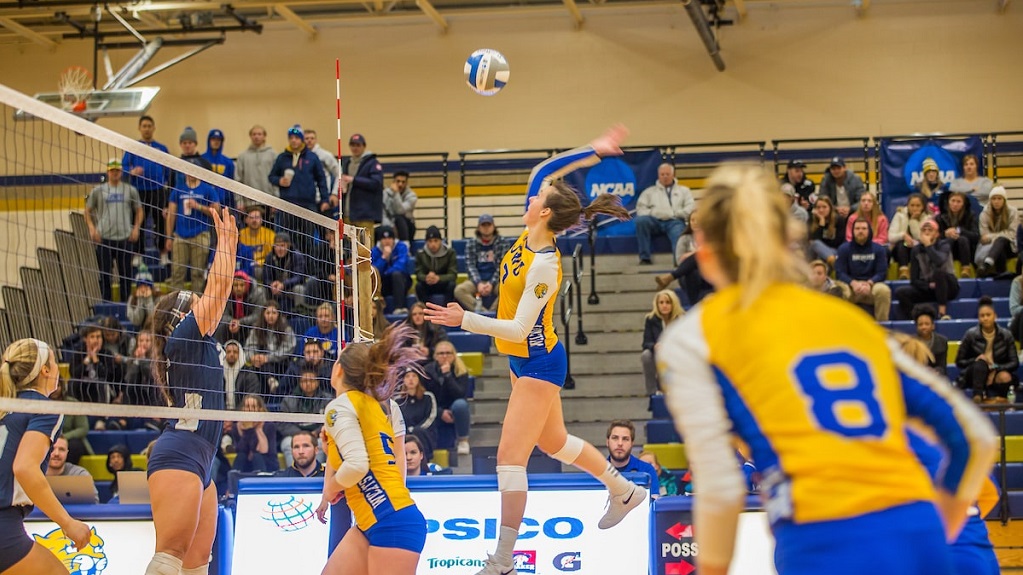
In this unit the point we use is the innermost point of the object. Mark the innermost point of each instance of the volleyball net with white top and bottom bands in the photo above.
(98, 227)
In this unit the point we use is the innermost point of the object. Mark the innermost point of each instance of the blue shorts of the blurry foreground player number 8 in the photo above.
(908, 541)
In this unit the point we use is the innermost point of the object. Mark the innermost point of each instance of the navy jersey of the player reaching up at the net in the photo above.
(196, 377)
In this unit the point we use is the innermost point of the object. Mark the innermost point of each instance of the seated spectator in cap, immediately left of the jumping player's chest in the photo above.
(483, 255)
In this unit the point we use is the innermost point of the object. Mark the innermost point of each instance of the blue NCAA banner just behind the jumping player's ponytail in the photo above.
(626, 176)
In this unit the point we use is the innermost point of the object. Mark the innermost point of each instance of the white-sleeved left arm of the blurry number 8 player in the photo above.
(696, 403)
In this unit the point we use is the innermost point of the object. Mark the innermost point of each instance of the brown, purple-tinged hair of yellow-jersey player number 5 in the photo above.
(379, 369)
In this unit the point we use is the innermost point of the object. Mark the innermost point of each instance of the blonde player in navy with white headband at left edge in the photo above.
(30, 371)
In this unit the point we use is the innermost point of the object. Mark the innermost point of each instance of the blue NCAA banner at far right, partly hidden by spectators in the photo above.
(902, 165)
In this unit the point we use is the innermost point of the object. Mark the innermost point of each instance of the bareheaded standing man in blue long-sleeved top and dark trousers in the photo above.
(152, 181)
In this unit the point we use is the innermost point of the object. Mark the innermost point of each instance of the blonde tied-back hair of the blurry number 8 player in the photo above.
(748, 227)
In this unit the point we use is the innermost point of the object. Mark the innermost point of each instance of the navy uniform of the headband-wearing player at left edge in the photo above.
(15, 505)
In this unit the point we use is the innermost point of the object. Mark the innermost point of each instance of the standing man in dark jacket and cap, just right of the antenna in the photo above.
(362, 184)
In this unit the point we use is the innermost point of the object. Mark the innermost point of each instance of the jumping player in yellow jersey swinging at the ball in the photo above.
(524, 330)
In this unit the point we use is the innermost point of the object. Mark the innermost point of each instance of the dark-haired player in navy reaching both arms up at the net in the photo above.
(190, 373)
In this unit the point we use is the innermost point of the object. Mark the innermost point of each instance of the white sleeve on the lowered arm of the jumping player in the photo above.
(542, 279)
